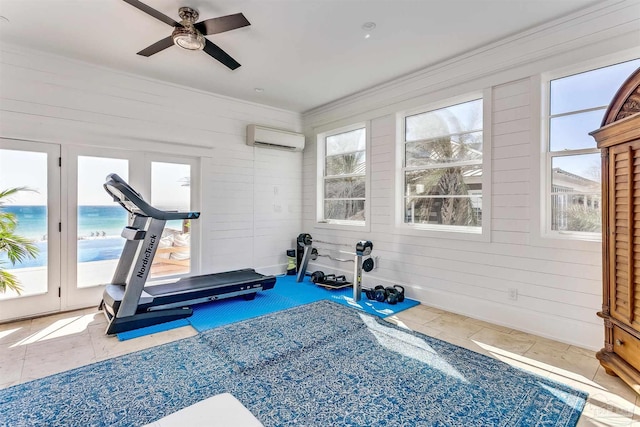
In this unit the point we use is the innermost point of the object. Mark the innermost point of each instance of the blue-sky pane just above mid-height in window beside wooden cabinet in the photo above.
(572, 132)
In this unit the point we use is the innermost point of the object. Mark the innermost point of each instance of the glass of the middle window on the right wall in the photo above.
(442, 169)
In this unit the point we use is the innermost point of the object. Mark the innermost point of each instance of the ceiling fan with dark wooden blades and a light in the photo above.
(189, 34)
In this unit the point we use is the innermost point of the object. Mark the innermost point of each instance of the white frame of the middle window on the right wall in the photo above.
(481, 233)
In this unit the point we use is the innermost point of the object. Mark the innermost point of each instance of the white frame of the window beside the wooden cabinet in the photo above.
(542, 85)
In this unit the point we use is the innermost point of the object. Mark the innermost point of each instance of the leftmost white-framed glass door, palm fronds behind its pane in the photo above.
(29, 218)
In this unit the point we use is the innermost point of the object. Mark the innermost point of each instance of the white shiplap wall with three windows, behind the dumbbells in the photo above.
(558, 281)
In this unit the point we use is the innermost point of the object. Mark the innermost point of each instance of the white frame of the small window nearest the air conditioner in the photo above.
(321, 221)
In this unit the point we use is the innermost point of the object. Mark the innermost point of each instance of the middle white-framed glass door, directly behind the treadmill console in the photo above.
(94, 222)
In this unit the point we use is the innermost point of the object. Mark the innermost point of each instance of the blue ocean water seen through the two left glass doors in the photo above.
(99, 229)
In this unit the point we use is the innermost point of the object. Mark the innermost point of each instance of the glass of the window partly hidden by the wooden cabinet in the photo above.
(577, 104)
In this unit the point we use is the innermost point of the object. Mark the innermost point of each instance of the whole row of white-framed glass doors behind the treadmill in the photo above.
(76, 225)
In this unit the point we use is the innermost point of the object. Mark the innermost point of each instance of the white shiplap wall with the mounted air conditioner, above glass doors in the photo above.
(251, 197)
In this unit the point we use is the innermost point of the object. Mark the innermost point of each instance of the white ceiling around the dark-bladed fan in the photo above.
(302, 53)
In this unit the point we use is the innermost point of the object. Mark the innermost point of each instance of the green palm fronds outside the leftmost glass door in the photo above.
(16, 247)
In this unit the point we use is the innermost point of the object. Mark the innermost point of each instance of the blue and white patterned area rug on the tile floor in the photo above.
(320, 364)
